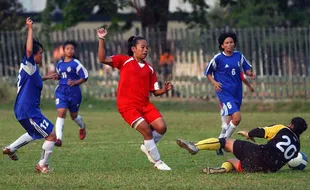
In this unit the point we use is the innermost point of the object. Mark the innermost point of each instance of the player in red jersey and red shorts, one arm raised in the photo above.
(137, 80)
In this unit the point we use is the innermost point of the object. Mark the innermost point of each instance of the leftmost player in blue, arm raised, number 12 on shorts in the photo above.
(27, 104)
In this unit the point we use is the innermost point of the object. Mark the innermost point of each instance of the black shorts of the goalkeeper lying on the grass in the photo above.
(252, 156)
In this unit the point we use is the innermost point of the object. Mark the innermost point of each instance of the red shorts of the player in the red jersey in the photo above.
(132, 114)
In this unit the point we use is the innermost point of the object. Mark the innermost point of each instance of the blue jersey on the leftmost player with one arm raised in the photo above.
(29, 86)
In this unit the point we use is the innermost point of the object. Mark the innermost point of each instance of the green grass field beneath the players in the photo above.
(110, 157)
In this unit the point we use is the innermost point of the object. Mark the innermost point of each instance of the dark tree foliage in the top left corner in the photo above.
(9, 19)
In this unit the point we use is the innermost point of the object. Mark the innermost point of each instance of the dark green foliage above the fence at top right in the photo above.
(263, 13)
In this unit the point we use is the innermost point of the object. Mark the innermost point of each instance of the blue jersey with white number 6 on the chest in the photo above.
(226, 70)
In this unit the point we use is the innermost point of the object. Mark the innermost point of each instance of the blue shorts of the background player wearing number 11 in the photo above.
(69, 97)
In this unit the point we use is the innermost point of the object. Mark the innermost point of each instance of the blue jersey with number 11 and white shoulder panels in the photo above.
(73, 70)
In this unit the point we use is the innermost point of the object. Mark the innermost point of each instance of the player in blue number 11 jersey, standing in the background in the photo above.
(68, 93)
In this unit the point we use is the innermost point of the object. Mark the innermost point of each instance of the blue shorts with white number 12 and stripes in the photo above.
(37, 127)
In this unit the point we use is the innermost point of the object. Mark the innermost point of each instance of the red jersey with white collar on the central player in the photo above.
(137, 80)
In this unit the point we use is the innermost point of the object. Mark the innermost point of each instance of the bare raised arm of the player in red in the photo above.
(101, 50)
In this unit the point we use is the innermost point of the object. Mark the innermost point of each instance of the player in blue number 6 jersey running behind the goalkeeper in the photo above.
(226, 68)
